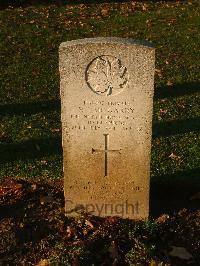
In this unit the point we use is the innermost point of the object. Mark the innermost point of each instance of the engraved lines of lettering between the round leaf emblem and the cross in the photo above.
(98, 115)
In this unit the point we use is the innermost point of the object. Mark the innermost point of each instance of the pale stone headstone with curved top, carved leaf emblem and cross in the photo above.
(107, 97)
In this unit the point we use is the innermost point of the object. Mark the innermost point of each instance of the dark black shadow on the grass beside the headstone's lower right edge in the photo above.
(170, 193)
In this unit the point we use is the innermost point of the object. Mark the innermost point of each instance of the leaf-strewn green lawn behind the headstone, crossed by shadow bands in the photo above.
(30, 129)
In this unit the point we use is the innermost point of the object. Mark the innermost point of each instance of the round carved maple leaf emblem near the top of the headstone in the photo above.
(106, 75)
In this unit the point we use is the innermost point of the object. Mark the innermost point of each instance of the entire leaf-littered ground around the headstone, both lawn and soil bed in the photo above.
(30, 135)
